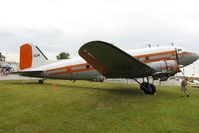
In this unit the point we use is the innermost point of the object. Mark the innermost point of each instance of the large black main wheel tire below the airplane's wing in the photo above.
(148, 88)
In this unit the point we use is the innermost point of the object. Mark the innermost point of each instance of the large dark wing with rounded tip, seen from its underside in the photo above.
(112, 62)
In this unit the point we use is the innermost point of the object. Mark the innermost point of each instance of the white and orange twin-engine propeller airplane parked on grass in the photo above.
(101, 59)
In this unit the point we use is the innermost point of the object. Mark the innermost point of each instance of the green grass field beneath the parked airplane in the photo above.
(85, 107)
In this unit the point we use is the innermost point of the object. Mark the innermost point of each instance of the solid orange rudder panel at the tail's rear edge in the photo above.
(25, 56)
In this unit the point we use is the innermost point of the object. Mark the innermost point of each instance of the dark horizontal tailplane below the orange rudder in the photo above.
(29, 73)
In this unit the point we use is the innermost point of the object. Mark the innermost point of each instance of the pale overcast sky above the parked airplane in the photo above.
(64, 25)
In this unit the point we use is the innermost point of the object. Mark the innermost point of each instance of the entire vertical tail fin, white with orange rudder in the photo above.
(31, 56)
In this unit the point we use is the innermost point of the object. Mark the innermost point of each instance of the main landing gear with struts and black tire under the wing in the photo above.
(146, 87)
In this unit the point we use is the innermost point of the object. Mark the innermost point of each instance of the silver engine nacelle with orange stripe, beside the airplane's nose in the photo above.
(164, 69)
